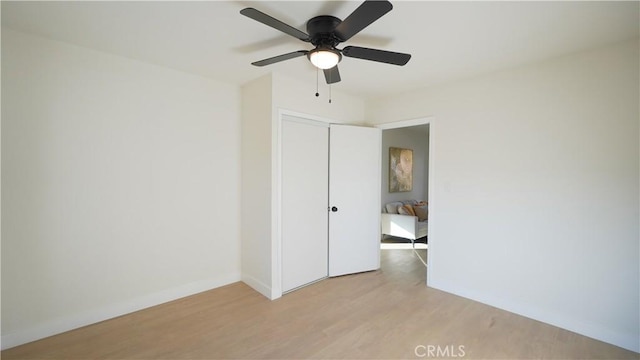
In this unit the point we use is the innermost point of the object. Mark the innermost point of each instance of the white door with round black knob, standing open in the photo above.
(354, 221)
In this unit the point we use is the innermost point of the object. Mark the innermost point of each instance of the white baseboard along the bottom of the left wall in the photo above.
(63, 324)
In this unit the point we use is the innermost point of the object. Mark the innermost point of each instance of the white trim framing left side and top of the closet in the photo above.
(276, 193)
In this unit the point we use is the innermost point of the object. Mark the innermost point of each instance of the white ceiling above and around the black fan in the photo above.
(448, 40)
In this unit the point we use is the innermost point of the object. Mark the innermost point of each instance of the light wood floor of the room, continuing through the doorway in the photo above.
(384, 314)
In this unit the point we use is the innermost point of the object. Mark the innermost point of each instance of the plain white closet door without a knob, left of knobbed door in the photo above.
(305, 188)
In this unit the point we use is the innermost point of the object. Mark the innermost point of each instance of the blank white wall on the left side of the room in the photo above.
(120, 186)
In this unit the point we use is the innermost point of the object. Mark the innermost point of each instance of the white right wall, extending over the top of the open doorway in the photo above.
(535, 189)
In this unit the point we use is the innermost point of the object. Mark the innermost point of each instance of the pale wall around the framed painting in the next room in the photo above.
(418, 141)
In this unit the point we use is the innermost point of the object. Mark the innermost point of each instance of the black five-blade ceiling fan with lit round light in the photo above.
(325, 32)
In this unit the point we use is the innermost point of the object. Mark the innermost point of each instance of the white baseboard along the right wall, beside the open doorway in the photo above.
(623, 340)
